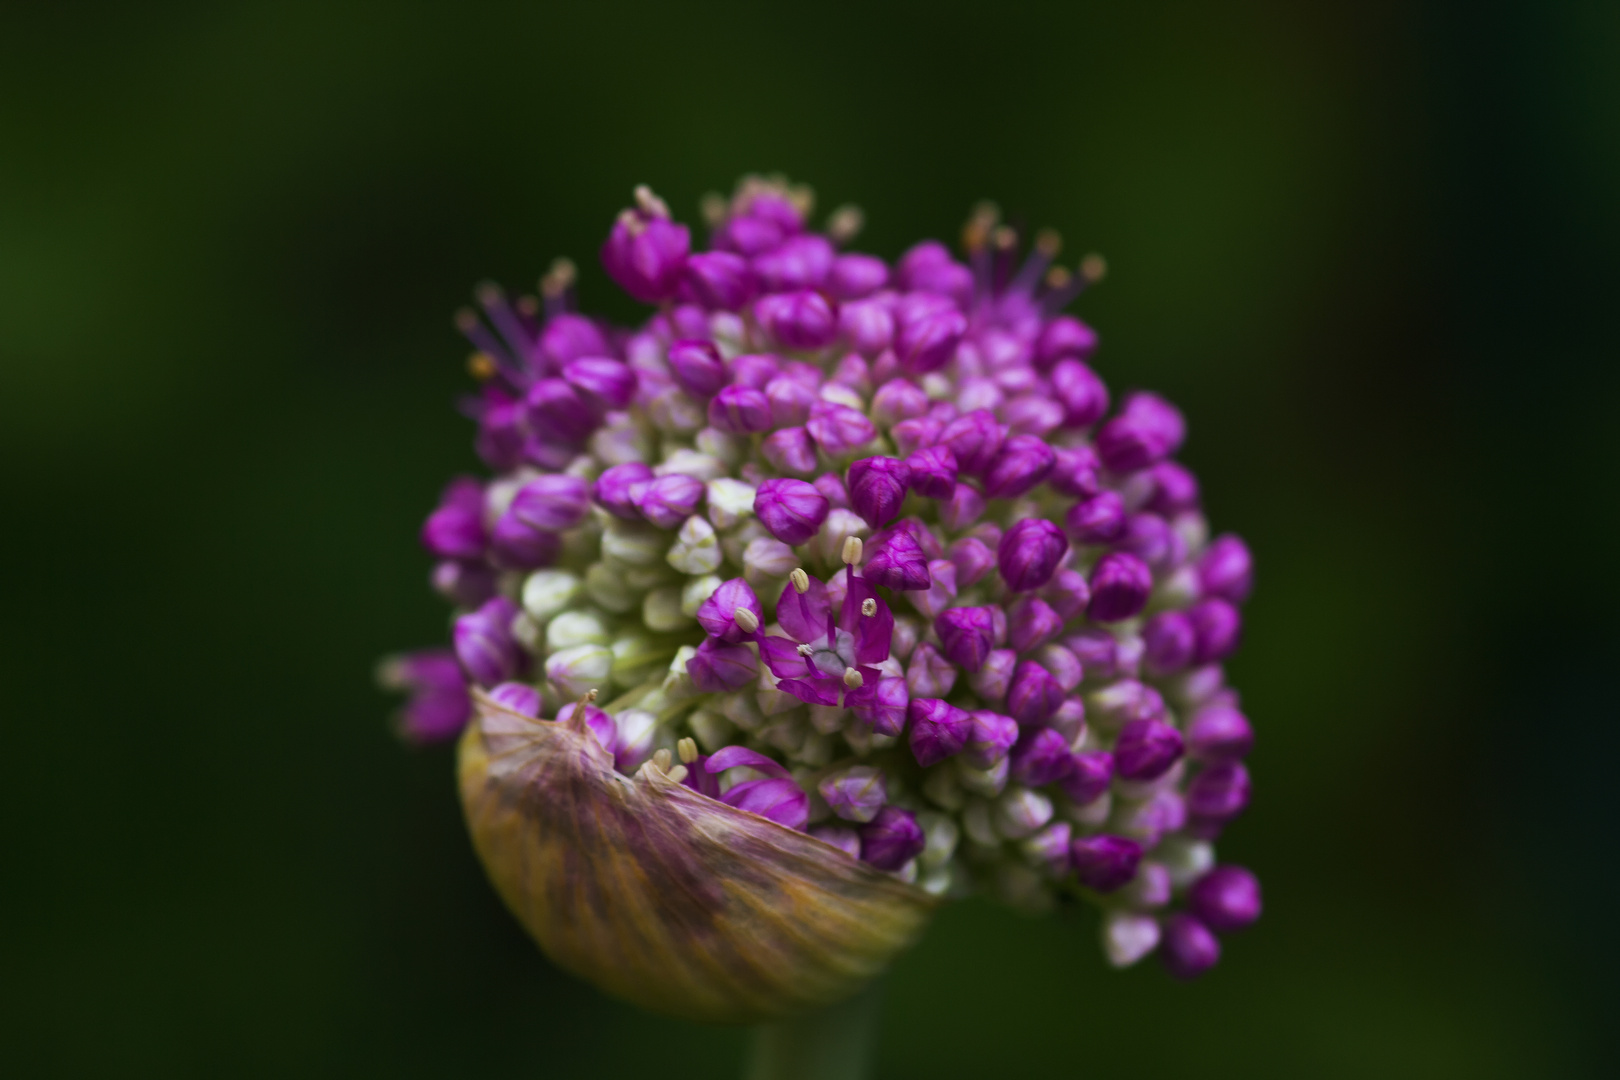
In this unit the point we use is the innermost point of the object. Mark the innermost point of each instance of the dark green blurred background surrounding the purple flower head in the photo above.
(1368, 247)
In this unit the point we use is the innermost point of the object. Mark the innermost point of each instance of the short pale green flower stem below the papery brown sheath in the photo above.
(832, 1045)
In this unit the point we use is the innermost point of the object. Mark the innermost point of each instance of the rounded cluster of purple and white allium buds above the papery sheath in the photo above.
(866, 551)
